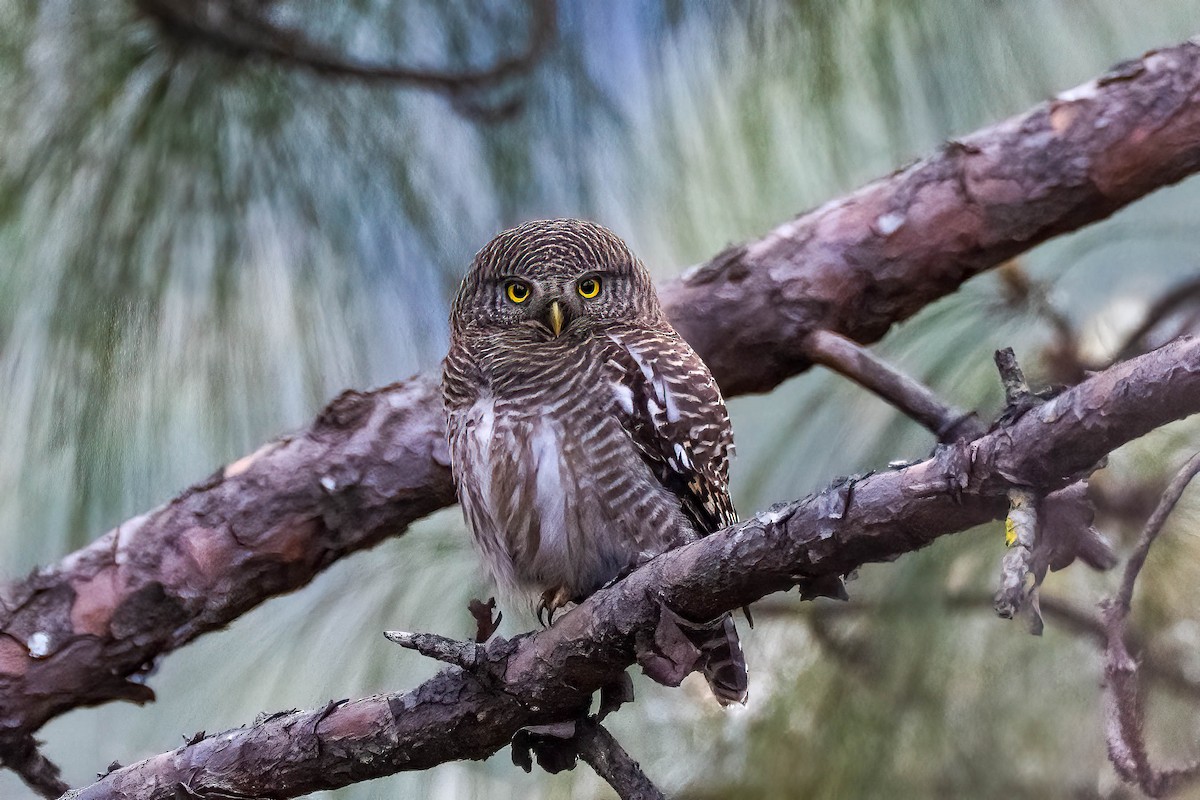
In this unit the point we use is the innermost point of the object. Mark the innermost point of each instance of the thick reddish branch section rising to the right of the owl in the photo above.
(862, 263)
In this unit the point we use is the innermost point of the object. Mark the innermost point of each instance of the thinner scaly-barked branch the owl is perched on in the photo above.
(549, 677)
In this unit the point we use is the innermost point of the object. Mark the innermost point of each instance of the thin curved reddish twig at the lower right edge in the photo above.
(1125, 714)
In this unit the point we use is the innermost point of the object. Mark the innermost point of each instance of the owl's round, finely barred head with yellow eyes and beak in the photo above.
(554, 278)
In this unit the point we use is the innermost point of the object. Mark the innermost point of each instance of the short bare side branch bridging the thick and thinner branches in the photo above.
(913, 398)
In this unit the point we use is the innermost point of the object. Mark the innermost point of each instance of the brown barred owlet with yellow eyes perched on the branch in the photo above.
(586, 436)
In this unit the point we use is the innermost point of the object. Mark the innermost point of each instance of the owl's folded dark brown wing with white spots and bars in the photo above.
(675, 414)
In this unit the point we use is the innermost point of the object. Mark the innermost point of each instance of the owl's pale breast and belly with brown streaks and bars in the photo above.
(556, 492)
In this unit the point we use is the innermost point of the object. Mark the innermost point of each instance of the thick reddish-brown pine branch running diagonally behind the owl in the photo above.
(75, 634)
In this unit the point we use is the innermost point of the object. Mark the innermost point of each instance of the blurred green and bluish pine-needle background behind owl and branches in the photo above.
(200, 249)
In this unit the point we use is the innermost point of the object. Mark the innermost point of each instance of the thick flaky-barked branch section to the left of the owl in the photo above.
(80, 634)
